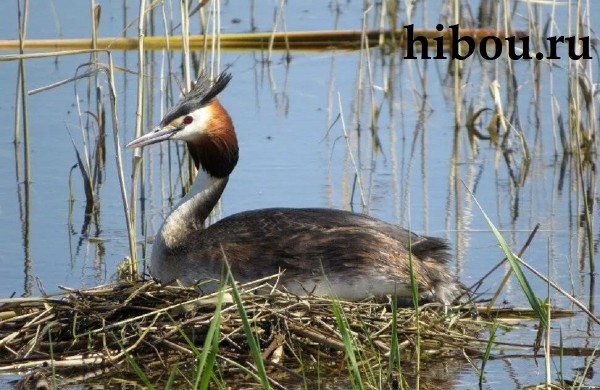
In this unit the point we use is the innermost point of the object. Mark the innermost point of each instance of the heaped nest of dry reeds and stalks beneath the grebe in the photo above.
(157, 333)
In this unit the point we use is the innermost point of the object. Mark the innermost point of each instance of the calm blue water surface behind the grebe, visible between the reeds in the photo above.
(293, 153)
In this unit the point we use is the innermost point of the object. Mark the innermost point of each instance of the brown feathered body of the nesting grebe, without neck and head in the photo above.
(320, 251)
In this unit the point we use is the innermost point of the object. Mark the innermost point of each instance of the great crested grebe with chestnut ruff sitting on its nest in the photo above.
(323, 252)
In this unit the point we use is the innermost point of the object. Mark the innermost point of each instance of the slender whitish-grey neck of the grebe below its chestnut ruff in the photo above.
(191, 211)
